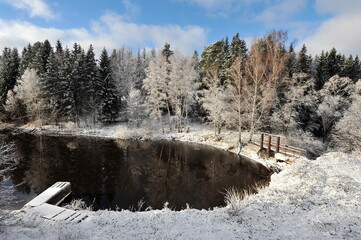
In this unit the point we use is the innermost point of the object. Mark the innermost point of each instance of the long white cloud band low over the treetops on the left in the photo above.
(110, 31)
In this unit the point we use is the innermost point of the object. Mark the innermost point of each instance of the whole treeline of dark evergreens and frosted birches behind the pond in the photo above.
(267, 86)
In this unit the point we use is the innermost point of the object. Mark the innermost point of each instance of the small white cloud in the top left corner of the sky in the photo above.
(35, 8)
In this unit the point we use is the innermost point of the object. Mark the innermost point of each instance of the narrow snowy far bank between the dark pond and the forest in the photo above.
(198, 133)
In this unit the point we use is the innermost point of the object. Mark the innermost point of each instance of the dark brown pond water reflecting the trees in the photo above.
(119, 174)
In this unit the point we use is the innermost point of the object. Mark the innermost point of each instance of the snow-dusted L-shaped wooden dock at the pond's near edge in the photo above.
(45, 204)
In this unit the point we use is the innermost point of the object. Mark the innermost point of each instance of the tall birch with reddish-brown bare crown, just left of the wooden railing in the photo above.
(263, 69)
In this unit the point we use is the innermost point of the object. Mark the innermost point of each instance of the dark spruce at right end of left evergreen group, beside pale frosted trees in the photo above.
(110, 103)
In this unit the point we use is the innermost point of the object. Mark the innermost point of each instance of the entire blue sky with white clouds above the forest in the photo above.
(186, 24)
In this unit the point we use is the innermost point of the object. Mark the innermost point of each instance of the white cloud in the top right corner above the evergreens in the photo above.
(341, 31)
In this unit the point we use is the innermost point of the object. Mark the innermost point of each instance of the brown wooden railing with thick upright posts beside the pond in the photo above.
(276, 146)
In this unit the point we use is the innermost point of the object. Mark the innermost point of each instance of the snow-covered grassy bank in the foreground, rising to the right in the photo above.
(318, 199)
